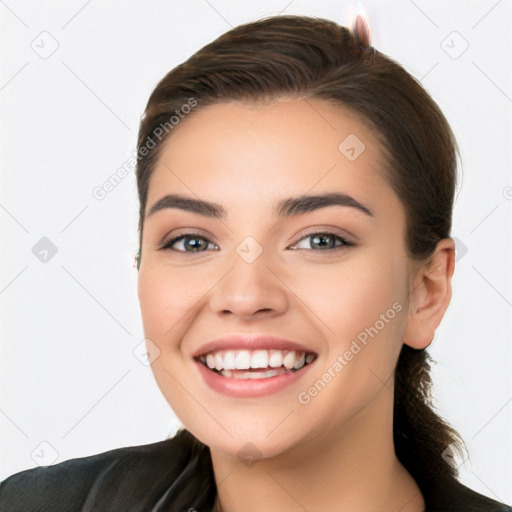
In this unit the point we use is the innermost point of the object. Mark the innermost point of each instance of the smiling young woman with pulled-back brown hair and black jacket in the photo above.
(296, 189)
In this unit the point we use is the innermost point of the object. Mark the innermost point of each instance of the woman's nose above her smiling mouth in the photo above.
(249, 291)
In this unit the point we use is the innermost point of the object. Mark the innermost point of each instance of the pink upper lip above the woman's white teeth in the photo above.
(250, 342)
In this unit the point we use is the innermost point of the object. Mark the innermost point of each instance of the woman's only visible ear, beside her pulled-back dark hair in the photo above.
(430, 295)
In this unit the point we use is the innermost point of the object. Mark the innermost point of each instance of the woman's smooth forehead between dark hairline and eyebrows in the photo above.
(238, 152)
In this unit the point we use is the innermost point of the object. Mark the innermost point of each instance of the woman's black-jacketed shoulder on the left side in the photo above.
(121, 479)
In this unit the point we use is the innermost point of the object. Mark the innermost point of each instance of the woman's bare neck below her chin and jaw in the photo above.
(355, 470)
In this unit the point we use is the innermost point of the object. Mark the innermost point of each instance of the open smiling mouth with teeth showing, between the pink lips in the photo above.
(255, 364)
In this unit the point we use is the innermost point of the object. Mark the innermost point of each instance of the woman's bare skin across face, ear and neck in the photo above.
(324, 455)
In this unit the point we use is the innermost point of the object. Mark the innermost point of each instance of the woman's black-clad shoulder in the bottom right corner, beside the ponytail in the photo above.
(455, 497)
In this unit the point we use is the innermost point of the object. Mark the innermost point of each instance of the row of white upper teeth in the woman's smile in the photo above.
(245, 359)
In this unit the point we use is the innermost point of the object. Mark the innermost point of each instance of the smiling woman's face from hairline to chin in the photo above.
(332, 278)
